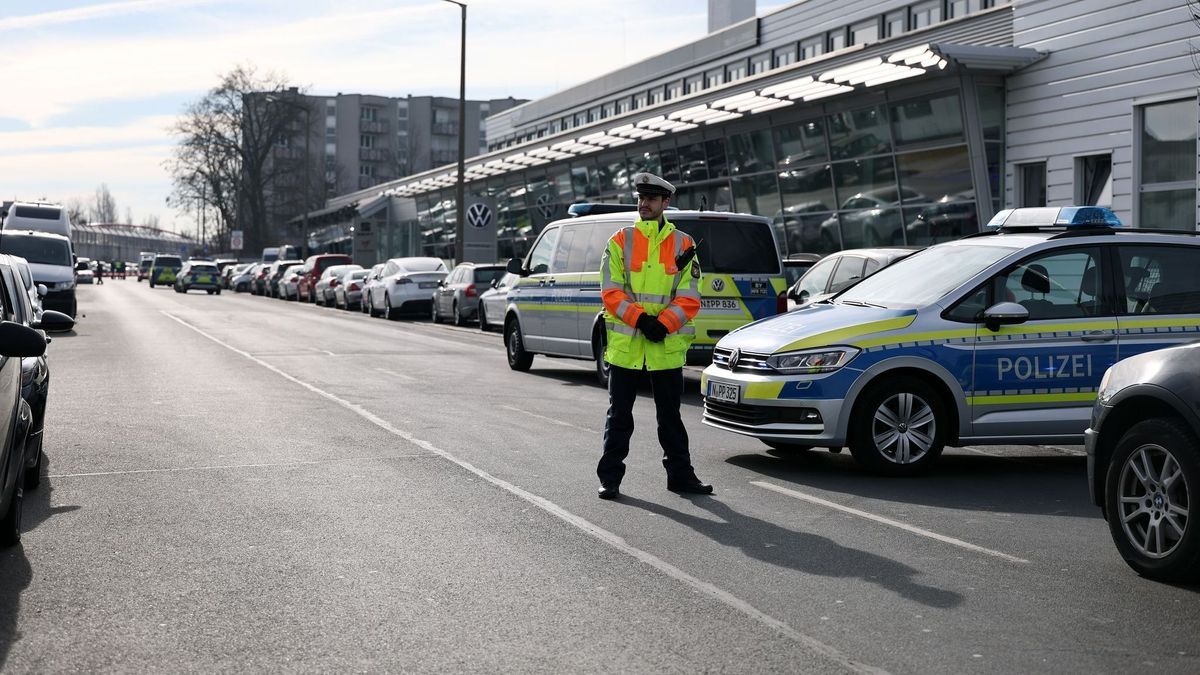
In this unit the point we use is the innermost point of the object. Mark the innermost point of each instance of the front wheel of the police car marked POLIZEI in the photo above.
(898, 428)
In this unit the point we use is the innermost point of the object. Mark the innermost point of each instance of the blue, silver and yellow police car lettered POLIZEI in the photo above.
(998, 338)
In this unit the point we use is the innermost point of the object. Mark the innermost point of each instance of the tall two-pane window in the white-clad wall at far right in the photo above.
(1167, 196)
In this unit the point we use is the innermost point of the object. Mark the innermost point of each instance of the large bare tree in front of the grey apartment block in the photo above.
(238, 156)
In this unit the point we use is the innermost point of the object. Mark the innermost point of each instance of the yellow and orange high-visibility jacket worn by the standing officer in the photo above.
(639, 276)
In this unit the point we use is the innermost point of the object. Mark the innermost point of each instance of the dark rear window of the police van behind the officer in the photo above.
(733, 247)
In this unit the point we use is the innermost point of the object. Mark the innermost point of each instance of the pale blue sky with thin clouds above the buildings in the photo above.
(91, 89)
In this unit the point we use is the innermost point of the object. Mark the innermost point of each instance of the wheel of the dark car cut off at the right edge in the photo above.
(1153, 479)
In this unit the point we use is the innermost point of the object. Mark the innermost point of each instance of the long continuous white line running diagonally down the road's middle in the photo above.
(586, 527)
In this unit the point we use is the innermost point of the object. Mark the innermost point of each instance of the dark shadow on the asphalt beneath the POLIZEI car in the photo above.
(1046, 486)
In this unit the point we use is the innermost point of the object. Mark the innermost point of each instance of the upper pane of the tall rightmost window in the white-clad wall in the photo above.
(1169, 142)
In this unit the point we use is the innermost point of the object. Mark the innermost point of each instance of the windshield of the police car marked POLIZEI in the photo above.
(909, 284)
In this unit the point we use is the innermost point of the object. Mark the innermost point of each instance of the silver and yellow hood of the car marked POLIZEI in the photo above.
(817, 326)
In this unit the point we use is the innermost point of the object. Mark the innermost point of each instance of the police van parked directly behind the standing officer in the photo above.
(555, 309)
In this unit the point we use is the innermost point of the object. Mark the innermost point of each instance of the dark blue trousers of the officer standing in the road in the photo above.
(619, 428)
